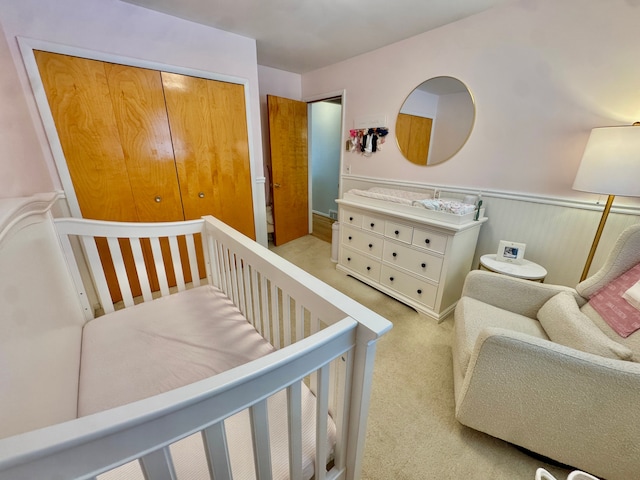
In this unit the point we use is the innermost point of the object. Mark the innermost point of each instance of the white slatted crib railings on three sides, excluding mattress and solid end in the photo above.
(323, 338)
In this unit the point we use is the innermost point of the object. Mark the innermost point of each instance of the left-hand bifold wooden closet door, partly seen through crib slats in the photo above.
(112, 126)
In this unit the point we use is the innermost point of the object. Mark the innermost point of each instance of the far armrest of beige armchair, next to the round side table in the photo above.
(513, 294)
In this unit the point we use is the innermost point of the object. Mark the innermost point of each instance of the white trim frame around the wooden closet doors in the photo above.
(28, 45)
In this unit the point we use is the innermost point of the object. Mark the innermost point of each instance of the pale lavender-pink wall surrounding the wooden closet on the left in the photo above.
(119, 29)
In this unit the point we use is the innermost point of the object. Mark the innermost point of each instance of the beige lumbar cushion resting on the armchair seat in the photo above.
(564, 323)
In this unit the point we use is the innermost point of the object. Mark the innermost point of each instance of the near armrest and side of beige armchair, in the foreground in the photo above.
(575, 407)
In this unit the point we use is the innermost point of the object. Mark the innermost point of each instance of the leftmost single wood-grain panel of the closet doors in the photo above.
(80, 102)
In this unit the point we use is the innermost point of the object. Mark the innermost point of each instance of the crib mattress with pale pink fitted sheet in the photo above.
(157, 346)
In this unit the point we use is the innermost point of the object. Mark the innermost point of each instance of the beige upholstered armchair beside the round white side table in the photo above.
(574, 399)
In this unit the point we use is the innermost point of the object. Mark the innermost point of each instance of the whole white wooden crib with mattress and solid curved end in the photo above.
(302, 406)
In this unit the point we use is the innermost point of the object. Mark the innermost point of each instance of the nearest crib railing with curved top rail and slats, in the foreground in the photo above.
(144, 430)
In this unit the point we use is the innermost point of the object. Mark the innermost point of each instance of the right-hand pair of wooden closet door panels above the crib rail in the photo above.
(210, 141)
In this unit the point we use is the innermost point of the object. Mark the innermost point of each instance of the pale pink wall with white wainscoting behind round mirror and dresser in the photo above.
(543, 73)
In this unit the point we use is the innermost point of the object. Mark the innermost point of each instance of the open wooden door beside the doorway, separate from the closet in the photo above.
(289, 168)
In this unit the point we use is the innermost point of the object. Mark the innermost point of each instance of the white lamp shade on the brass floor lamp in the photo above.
(611, 162)
